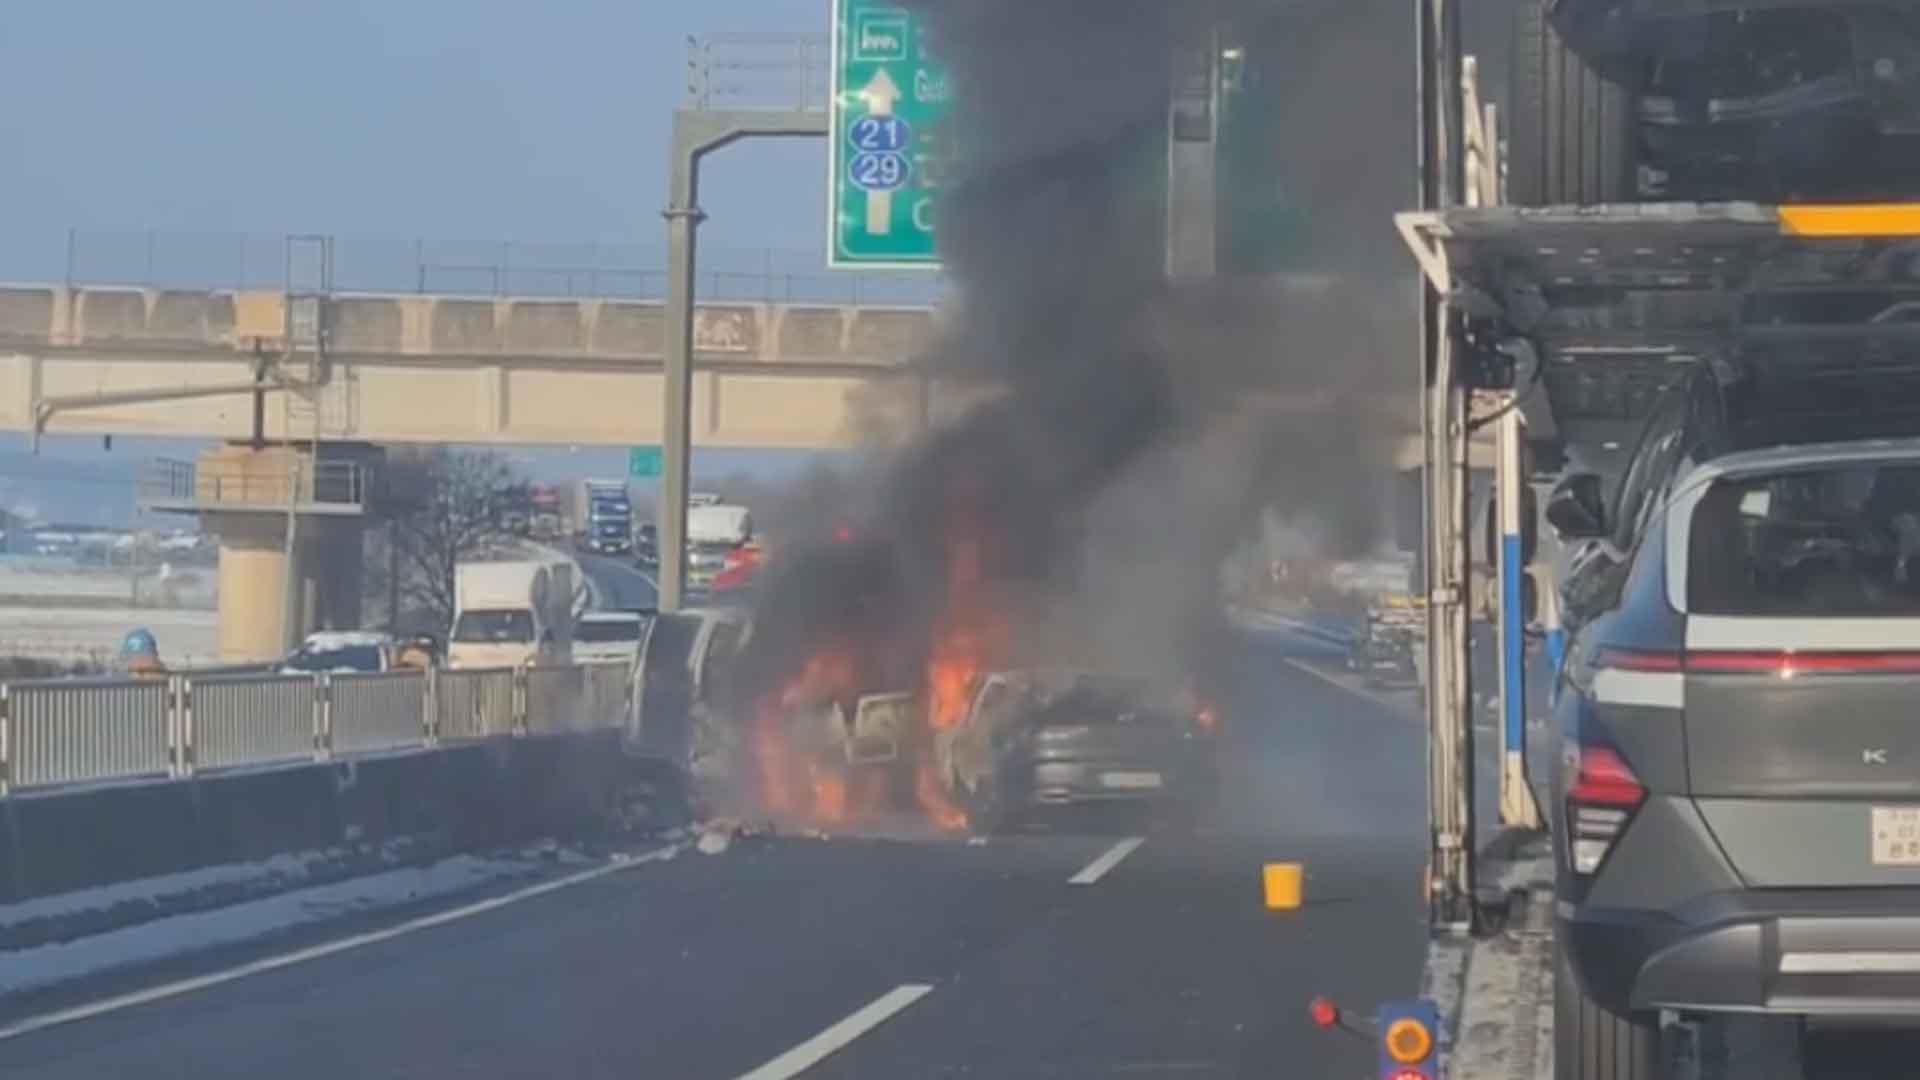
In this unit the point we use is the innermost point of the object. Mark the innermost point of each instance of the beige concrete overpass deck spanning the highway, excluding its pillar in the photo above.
(406, 368)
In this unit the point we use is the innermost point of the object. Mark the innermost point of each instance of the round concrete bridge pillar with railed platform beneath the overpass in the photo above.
(291, 539)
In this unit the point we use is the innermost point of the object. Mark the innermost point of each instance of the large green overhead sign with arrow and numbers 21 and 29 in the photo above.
(890, 99)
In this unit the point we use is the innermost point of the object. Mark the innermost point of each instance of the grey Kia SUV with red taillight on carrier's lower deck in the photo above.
(1739, 798)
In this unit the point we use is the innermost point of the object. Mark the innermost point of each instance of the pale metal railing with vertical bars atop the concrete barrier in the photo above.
(80, 731)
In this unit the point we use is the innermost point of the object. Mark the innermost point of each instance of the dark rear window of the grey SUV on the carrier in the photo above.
(1831, 541)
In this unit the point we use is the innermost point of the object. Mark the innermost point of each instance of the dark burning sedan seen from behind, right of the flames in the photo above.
(1053, 739)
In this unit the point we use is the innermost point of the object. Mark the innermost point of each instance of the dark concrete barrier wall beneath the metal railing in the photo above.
(448, 800)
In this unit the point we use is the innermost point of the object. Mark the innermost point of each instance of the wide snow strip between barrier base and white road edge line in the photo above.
(45, 966)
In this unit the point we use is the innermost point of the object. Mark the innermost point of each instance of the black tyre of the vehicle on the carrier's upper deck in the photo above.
(1570, 134)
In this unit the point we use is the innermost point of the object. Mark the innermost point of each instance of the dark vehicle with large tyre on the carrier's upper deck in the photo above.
(1620, 101)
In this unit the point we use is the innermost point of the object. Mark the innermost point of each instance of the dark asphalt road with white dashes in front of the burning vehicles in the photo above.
(890, 958)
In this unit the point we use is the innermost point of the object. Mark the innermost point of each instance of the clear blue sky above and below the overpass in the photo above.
(468, 122)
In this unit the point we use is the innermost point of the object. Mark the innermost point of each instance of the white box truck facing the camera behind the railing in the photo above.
(512, 614)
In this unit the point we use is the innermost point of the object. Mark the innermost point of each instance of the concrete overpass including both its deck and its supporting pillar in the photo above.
(354, 370)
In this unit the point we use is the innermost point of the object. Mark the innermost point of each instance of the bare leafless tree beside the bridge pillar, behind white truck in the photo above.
(448, 508)
